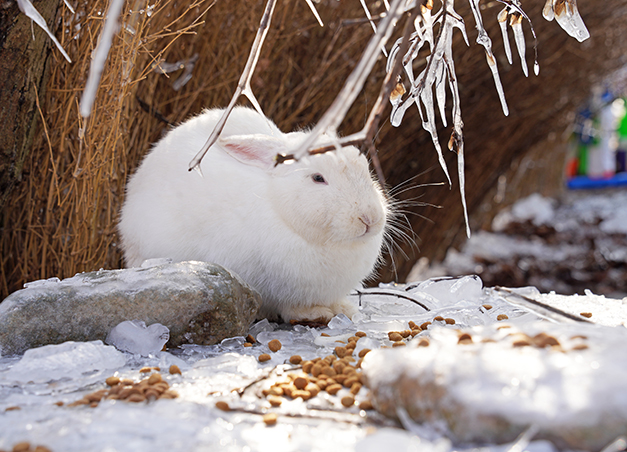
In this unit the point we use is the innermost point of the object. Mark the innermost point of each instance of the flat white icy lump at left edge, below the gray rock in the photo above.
(68, 360)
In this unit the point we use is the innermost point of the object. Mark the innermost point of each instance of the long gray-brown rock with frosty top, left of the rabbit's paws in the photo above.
(201, 303)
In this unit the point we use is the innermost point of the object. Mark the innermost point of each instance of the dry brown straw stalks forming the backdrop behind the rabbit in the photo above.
(61, 219)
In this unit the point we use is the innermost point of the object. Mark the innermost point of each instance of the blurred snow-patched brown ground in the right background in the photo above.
(568, 245)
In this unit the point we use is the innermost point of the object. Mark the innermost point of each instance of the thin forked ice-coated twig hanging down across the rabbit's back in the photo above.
(243, 86)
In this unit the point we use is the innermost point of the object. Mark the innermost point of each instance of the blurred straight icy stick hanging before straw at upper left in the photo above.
(99, 58)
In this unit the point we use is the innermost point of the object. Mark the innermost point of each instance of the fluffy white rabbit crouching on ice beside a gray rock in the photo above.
(303, 234)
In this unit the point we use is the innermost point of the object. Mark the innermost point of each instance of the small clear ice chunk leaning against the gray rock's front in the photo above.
(133, 336)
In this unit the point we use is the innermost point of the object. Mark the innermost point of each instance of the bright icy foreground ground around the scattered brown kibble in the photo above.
(32, 386)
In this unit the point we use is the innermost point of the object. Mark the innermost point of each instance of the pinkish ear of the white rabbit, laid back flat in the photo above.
(257, 150)
